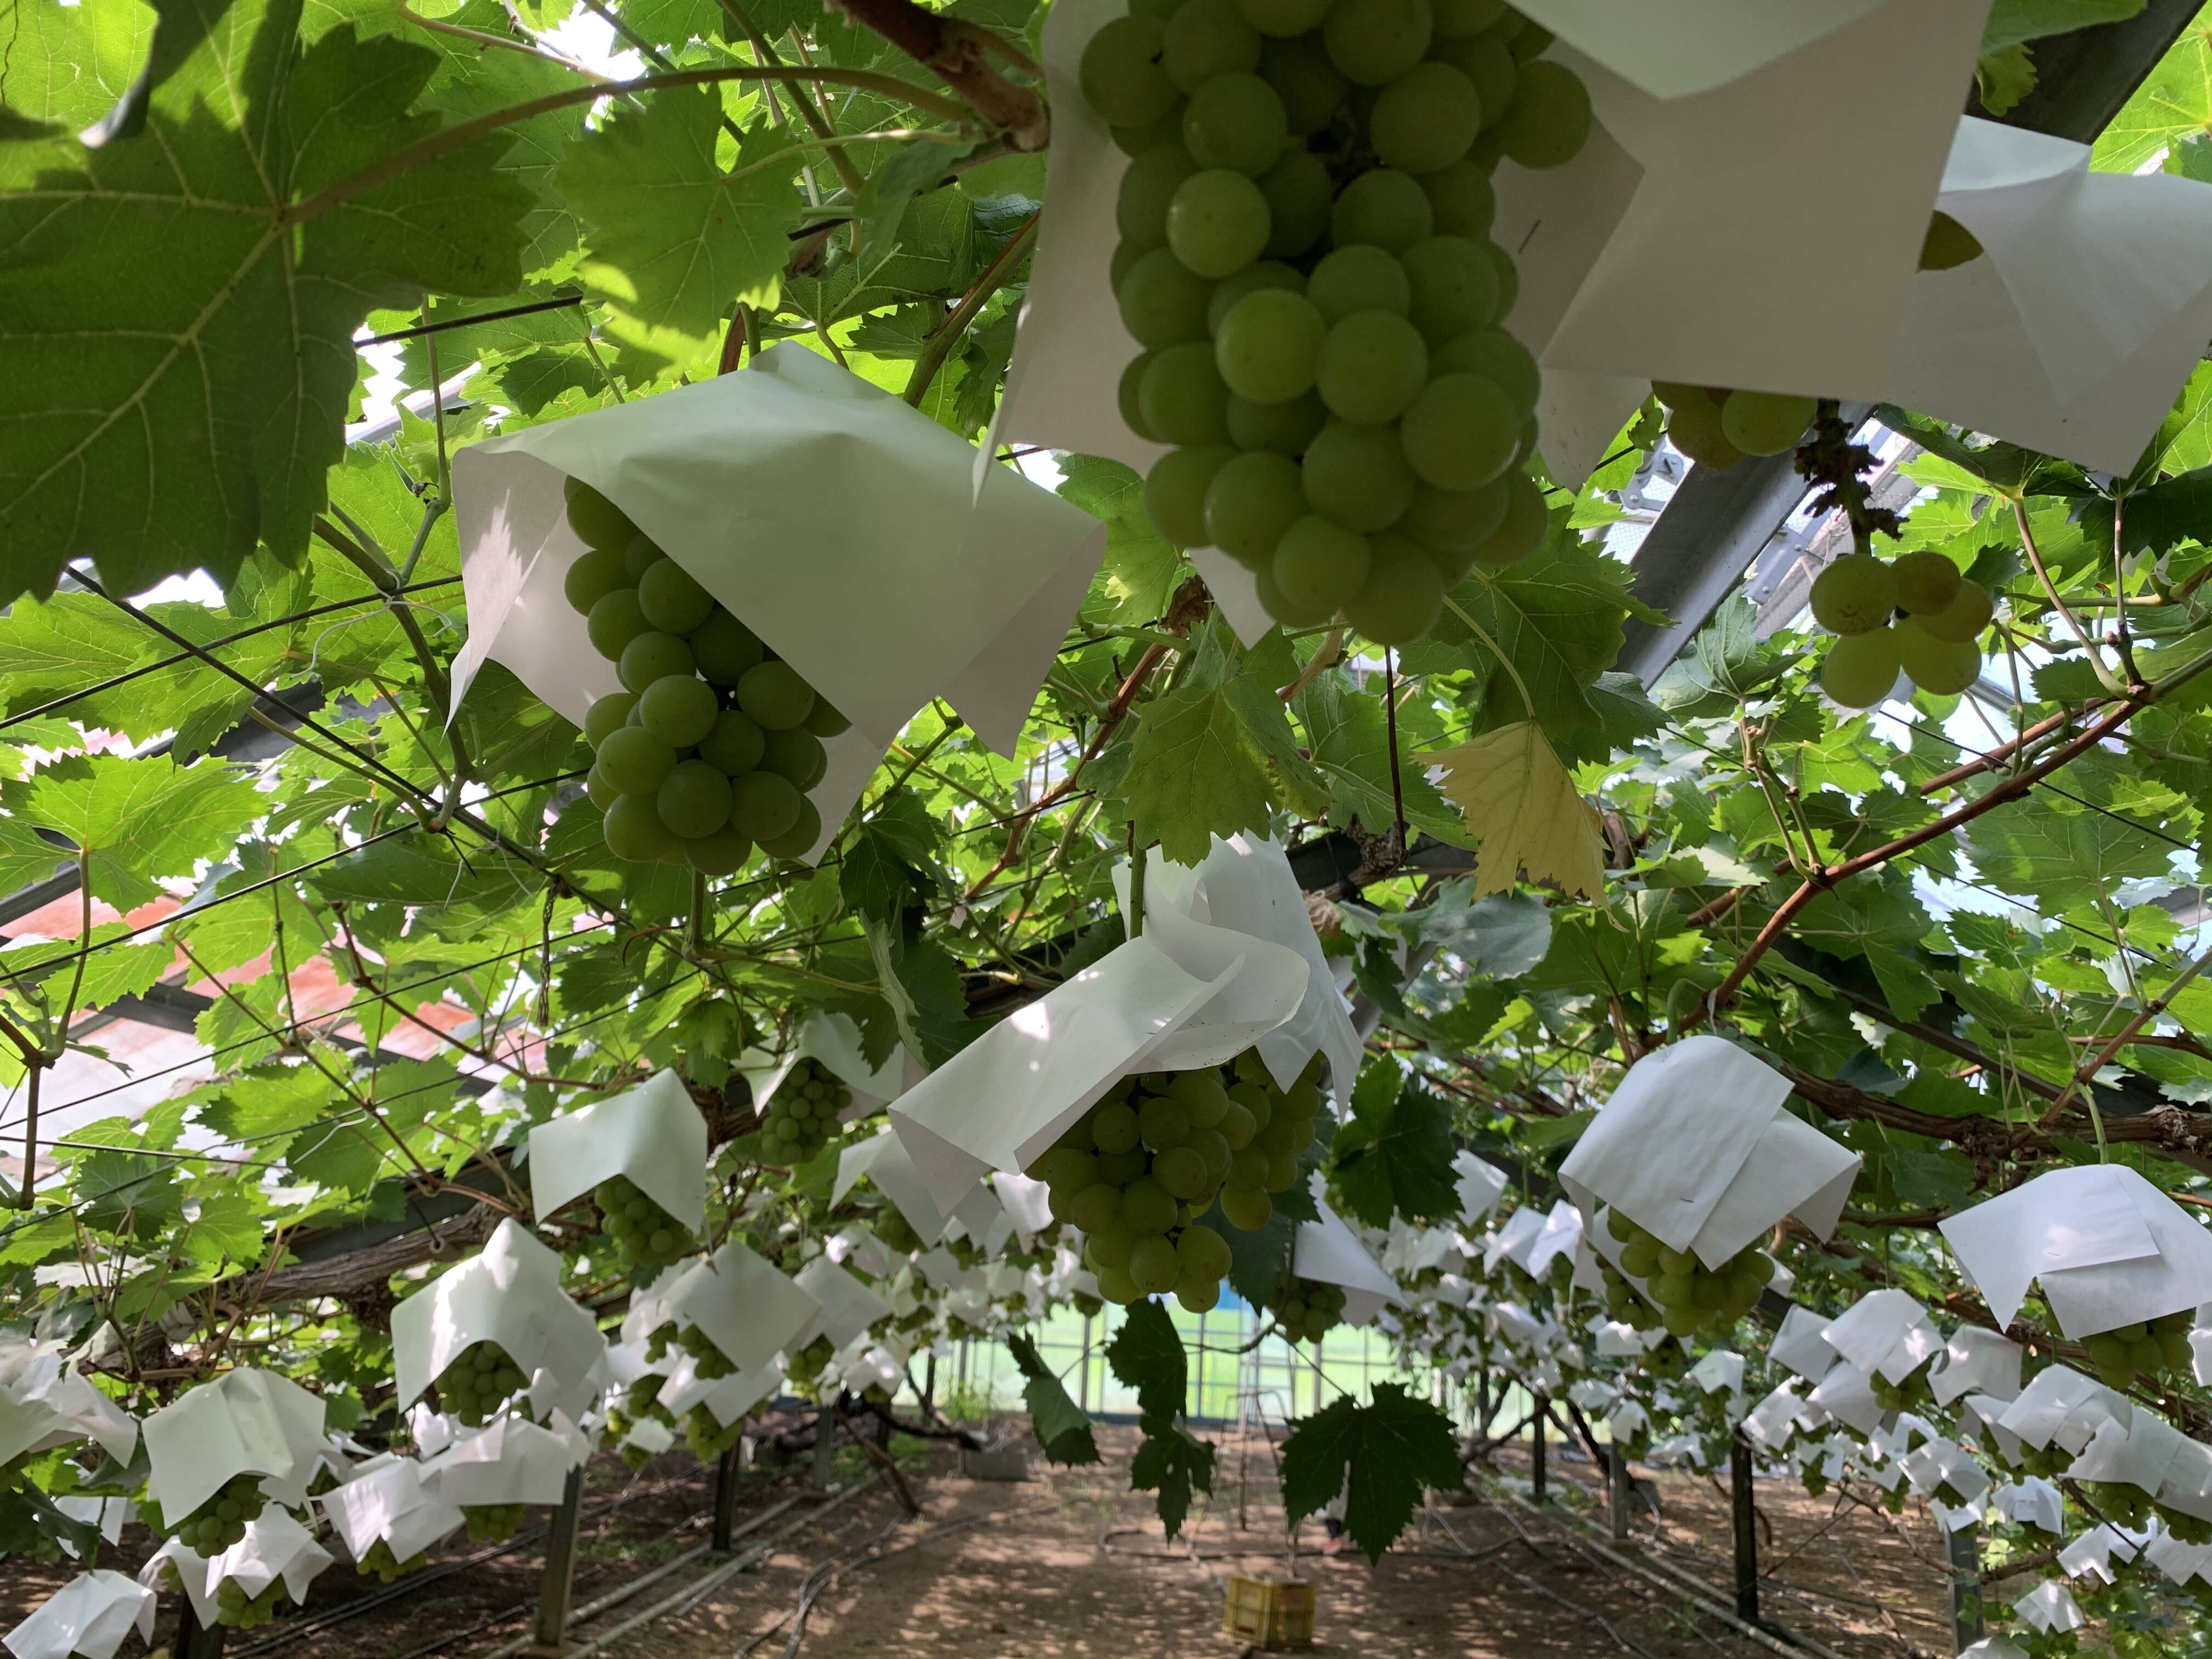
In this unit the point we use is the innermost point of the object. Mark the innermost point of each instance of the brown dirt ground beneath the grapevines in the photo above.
(1072, 1565)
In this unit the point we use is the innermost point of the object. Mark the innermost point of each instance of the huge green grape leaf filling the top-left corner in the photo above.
(180, 371)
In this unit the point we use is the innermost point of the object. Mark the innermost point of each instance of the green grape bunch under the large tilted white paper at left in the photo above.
(713, 742)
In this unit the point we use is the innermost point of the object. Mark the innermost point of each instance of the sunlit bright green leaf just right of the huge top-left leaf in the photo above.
(671, 240)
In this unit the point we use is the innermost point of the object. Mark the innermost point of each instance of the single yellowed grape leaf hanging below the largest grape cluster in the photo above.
(1523, 808)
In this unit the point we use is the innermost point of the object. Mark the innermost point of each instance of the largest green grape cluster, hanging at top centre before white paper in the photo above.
(1306, 262)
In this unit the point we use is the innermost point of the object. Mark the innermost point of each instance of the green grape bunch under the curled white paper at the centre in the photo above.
(1156, 1154)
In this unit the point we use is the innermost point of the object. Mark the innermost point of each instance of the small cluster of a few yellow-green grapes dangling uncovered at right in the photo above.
(1914, 616)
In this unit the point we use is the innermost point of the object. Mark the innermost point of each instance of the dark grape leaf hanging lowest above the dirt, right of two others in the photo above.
(1381, 1457)
